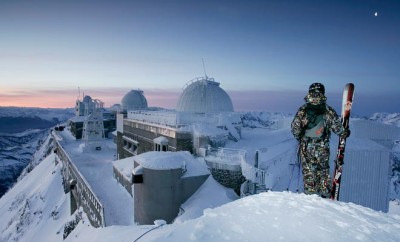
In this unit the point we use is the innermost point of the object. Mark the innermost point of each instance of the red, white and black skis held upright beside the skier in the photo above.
(347, 102)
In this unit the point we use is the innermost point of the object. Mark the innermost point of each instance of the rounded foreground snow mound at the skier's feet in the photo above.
(270, 216)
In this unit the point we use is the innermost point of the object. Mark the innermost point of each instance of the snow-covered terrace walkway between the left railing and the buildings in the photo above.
(96, 168)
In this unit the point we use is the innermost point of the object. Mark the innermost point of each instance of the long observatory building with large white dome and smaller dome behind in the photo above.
(201, 119)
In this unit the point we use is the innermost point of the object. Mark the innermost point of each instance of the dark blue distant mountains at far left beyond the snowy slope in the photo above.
(21, 133)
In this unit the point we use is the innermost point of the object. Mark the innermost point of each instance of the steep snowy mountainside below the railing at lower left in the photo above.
(35, 204)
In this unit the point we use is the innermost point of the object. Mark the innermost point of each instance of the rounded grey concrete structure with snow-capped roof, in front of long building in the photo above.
(161, 183)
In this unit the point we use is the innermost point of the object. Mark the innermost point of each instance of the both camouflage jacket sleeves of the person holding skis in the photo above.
(301, 122)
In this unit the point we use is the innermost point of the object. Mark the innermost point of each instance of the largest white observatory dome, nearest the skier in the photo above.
(203, 95)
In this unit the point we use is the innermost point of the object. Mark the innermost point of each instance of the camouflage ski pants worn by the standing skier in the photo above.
(314, 155)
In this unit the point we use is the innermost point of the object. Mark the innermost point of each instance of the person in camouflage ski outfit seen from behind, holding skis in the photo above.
(312, 126)
